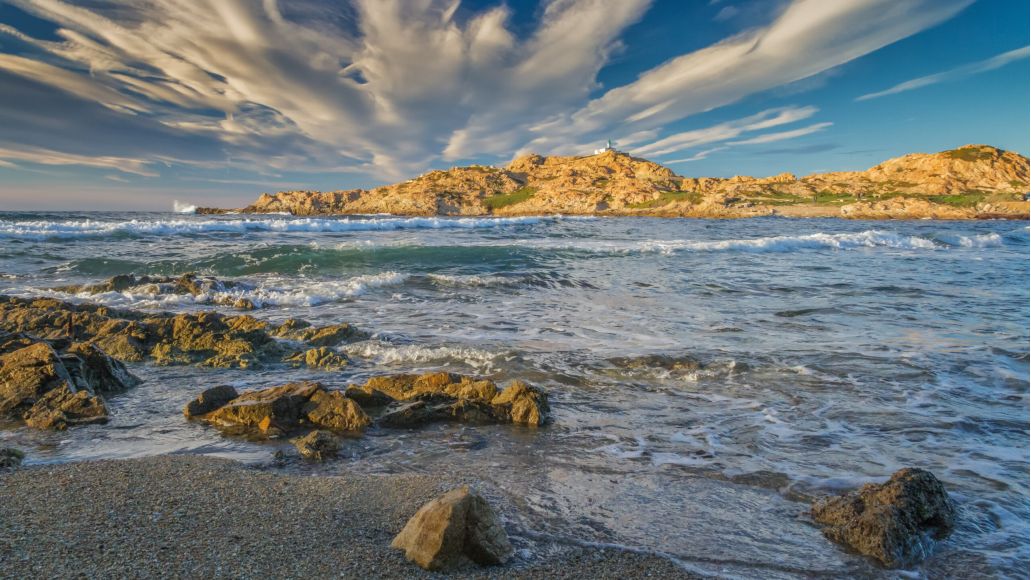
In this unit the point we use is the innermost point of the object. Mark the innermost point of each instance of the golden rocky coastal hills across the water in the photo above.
(969, 183)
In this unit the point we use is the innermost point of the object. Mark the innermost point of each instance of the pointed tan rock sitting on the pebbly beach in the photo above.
(457, 527)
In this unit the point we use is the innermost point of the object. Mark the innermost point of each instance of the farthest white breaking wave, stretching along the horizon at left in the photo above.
(94, 228)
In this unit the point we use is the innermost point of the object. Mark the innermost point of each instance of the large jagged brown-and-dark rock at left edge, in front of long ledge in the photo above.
(57, 385)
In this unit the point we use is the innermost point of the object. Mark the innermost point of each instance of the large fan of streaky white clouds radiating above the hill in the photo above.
(396, 86)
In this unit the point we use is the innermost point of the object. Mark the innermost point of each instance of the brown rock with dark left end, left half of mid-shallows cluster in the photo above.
(279, 411)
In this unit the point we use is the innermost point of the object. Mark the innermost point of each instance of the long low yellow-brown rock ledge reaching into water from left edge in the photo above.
(208, 339)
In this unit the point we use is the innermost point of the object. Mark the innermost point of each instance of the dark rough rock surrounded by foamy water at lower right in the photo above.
(895, 523)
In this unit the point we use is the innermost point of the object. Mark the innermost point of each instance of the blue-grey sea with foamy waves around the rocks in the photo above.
(830, 354)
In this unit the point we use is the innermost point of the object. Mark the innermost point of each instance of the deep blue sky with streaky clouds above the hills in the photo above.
(130, 106)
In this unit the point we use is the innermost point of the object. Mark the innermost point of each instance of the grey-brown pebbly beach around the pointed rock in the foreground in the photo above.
(196, 516)
